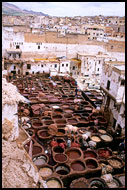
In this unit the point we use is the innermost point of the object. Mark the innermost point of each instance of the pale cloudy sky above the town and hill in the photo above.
(75, 8)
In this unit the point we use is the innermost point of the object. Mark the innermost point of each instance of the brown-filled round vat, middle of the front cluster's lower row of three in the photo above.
(78, 166)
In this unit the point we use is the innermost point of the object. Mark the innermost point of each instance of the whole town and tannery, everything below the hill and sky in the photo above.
(63, 101)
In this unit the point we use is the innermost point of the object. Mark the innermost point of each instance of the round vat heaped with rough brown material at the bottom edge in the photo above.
(79, 183)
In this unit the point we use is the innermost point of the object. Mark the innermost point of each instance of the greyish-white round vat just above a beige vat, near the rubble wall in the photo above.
(40, 160)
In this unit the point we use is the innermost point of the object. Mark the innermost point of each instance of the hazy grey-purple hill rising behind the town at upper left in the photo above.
(12, 10)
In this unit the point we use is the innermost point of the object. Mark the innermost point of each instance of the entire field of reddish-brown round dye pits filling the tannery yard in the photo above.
(68, 138)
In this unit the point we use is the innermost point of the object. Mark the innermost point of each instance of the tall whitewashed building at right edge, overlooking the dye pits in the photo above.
(113, 85)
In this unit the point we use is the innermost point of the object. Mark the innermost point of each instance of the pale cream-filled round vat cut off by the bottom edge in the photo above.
(54, 183)
